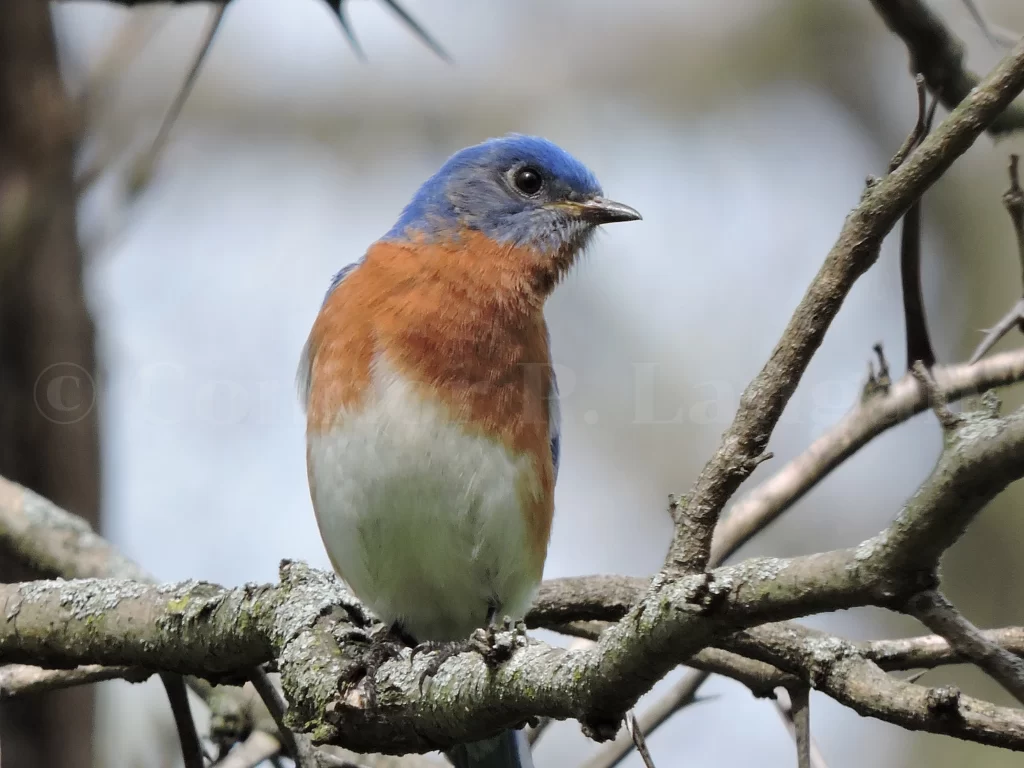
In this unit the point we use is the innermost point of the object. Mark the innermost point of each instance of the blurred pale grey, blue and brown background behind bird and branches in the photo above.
(743, 132)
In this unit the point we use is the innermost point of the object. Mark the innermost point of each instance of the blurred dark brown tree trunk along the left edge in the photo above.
(49, 425)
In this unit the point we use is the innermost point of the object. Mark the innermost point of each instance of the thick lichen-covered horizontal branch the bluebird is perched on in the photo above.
(197, 628)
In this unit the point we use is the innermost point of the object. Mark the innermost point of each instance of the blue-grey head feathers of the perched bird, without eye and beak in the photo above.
(475, 191)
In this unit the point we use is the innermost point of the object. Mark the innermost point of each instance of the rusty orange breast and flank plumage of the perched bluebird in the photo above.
(465, 323)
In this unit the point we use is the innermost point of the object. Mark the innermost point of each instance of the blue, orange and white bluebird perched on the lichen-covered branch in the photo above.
(433, 430)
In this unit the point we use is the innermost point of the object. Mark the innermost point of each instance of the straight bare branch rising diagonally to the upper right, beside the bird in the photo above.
(858, 248)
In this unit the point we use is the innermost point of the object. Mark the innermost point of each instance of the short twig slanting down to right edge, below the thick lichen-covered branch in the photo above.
(936, 613)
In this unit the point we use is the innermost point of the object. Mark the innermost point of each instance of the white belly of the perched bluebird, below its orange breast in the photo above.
(423, 521)
